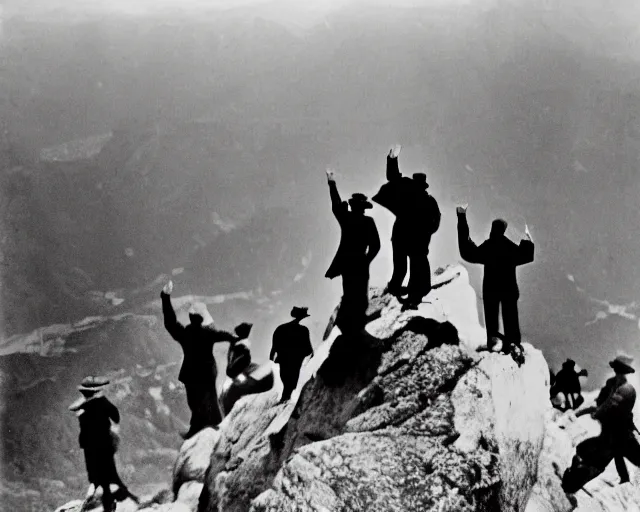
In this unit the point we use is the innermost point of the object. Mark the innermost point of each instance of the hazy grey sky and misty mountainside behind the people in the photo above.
(141, 140)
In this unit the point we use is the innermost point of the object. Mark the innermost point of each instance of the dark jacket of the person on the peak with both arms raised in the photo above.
(500, 257)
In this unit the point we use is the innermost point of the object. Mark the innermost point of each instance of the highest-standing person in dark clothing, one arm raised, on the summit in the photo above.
(417, 219)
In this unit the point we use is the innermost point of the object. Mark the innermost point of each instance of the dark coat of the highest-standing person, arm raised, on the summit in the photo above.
(417, 212)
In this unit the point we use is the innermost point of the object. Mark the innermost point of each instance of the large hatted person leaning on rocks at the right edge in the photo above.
(617, 440)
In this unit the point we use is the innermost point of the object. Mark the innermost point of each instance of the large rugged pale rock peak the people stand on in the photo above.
(409, 417)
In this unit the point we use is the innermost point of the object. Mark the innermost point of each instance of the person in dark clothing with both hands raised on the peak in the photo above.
(500, 257)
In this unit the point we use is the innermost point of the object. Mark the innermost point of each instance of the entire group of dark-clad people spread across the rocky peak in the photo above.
(417, 219)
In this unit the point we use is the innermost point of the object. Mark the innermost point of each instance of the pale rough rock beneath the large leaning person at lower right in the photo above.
(603, 494)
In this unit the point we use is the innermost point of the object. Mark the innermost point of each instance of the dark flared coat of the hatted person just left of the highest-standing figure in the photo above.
(359, 240)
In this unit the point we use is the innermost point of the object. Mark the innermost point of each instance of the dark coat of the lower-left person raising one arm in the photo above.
(199, 364)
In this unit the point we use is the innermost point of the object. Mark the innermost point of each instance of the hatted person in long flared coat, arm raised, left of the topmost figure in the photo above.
(359, 245)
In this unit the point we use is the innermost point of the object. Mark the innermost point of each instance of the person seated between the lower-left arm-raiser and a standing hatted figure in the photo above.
(244, 377)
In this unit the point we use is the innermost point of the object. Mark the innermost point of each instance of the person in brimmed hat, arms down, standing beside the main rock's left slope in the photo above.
(291, 346)
